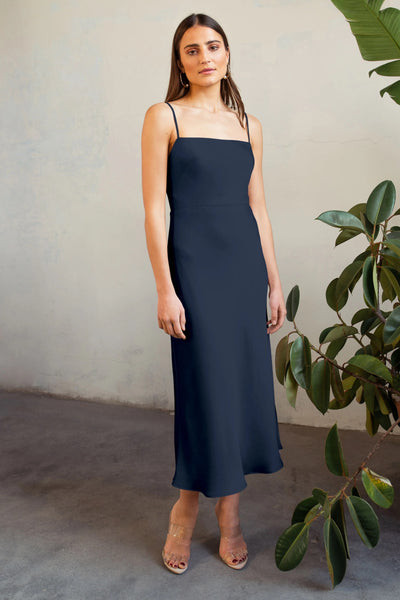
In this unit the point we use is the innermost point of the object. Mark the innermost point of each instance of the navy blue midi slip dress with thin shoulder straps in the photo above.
(225, 422)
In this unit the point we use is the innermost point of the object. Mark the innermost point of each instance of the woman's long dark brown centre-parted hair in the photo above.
(229, 90)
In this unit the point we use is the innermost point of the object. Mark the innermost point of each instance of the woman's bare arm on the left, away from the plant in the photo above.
(156, 133)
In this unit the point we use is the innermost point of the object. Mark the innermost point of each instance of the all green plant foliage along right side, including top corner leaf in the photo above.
(371, 376)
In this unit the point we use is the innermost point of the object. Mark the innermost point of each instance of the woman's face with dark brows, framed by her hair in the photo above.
(203, 48)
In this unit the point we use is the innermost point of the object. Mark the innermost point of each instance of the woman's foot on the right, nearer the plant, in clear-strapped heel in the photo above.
(232, 547)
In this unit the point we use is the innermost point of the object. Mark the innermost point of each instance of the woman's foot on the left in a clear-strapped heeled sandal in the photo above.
(182, 519)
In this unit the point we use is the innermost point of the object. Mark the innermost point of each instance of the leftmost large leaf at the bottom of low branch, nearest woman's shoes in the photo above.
(292, 546)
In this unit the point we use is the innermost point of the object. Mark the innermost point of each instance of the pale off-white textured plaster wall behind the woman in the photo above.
(78, 306)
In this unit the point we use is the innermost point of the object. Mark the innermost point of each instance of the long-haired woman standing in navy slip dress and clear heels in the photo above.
(212, 276)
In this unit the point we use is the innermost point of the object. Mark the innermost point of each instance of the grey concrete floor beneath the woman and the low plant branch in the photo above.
(85, 495)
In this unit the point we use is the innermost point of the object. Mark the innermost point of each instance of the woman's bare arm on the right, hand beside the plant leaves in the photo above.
(258, 205)
